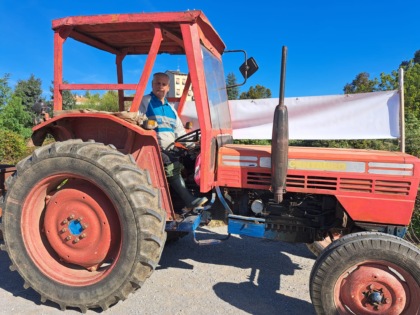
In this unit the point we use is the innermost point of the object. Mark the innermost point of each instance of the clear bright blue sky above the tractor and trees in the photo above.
(329, 42)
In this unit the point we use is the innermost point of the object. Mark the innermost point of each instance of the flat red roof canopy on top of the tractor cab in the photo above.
(132, 34)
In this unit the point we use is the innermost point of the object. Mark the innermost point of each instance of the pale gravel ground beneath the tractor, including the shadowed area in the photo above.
(242, 275)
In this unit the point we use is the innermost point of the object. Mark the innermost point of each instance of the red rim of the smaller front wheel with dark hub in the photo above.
(376, 287)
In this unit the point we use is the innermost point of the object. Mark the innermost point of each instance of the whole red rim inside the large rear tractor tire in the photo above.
(72, 233)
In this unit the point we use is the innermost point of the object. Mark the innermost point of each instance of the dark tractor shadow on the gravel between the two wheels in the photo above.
(258, 295)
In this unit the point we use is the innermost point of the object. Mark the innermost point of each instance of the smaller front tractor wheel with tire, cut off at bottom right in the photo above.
(370, 274)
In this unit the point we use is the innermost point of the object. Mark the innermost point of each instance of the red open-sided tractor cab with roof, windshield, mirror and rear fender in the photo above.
(176, 39)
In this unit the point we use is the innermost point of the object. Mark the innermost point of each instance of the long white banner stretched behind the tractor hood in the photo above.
(332, 117)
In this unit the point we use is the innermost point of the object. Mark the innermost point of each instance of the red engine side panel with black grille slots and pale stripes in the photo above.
(372, 186)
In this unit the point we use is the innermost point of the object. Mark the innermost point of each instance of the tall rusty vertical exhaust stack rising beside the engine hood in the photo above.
(280, 139)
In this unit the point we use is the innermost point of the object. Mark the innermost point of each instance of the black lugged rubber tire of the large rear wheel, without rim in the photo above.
(149, 217)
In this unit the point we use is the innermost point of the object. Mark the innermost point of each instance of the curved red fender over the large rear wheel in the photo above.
(127, 137)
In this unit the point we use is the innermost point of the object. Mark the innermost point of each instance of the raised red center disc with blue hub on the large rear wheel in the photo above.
(77, 226)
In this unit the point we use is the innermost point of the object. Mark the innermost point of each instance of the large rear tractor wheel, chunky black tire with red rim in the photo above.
(82, 224)
